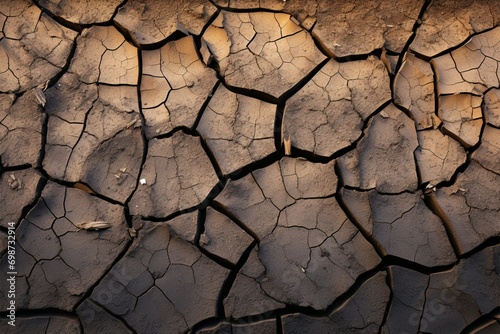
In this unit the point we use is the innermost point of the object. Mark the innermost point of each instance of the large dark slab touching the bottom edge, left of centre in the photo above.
(161, 284)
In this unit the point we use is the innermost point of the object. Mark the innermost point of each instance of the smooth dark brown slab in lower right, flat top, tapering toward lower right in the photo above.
(403, 225)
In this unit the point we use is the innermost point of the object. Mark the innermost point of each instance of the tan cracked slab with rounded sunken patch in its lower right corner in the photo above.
(94, 136)
